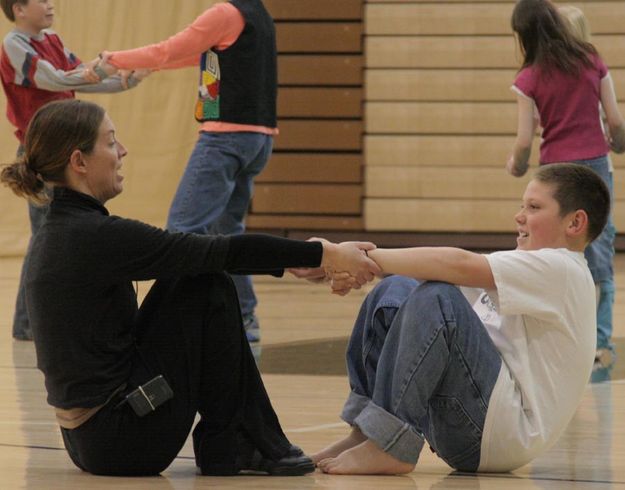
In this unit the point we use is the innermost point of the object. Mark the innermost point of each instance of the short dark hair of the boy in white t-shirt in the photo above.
(578, 187)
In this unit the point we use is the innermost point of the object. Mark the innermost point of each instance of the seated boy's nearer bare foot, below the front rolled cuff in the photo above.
(364, 459)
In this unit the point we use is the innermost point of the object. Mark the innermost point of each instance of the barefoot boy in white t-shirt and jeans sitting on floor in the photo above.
(489, 373)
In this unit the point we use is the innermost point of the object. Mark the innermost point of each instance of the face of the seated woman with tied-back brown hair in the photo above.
(104, 163)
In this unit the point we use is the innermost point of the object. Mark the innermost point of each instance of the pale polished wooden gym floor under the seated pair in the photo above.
(304, 332)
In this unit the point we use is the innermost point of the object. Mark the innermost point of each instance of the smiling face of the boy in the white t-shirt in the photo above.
(539, 222)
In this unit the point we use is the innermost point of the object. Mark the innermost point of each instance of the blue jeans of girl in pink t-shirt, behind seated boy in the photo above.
(600, 257)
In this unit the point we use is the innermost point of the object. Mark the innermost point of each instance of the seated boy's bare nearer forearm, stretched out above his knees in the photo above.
(447, 264)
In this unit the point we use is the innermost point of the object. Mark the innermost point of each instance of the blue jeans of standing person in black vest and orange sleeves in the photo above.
(216, 189)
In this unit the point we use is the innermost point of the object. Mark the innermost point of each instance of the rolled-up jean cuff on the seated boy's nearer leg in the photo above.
(392, 435)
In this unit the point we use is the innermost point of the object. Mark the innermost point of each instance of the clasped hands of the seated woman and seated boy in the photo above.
(345, 266)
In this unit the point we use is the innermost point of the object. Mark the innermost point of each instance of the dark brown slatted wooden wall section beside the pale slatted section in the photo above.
(314, 178)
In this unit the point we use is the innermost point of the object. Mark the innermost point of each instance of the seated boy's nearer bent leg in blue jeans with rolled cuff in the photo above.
(437, 366)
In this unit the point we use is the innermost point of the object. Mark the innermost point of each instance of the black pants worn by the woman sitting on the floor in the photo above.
(190, 331)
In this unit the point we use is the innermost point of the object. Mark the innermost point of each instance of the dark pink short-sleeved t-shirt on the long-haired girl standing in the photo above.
(569, 111)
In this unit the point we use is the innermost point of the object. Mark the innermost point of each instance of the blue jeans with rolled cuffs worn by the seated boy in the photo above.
(421, 366)
